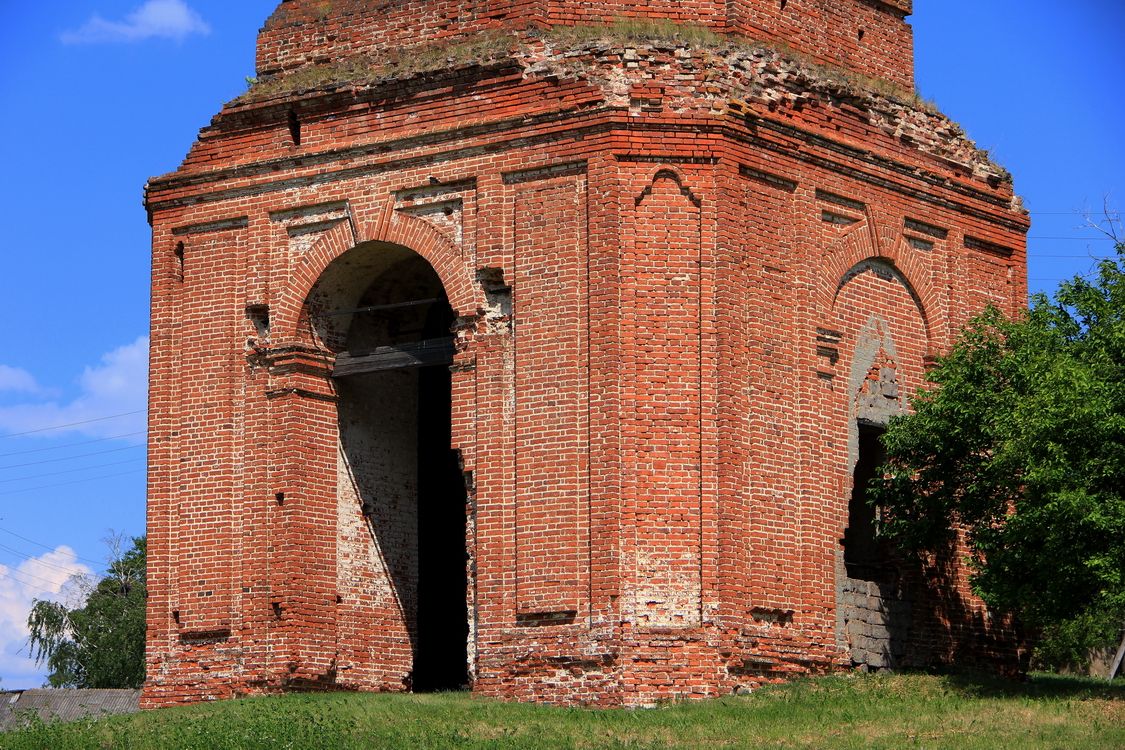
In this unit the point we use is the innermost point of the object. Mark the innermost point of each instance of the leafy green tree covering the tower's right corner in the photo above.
(1021, 442)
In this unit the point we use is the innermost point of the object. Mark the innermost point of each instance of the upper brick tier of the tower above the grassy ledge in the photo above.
(869, 37)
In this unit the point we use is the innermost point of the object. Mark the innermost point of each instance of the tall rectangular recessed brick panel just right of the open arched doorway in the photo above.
(552, 414)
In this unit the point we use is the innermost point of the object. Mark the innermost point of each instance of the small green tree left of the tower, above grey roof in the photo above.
(100, 645)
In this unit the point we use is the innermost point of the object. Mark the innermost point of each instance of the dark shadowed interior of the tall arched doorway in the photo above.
(384, 311)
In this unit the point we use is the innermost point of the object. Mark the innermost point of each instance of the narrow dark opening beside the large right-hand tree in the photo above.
(866, 556)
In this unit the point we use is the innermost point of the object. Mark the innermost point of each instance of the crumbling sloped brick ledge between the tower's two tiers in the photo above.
(559, 76)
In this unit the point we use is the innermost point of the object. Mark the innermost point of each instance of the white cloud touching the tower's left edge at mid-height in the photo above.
(116, 386)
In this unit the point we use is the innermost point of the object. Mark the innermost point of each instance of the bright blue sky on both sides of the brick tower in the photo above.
(100, 95)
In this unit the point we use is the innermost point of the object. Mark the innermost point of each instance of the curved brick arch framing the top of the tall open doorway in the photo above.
(394, 229)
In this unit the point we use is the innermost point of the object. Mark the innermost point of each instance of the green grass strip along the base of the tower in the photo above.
(879, 711)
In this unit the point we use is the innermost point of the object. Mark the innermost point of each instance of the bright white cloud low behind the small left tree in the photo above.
(46, 577)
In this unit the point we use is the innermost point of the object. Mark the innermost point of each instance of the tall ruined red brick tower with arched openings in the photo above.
(537, 347)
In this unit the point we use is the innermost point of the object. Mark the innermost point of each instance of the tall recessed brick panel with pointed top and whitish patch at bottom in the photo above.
(661, 431)
